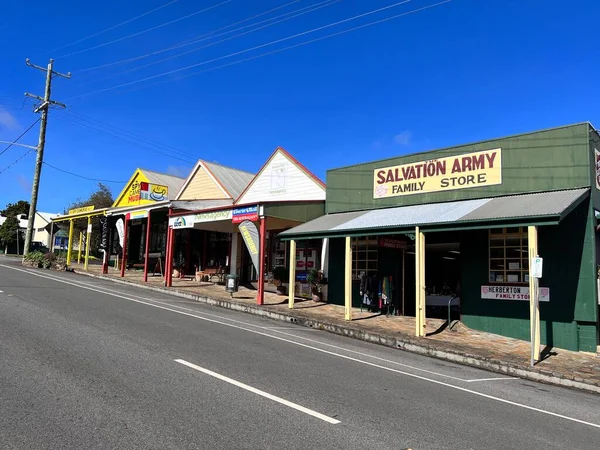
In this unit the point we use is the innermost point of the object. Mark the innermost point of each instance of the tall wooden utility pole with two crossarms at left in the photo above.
(43, 107)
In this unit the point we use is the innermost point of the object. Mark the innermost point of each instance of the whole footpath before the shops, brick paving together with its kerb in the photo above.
(460, 344)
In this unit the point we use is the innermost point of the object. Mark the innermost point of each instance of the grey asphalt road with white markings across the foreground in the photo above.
(87, 363)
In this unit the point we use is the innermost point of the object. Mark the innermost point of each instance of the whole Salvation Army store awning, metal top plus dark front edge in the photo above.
(542, 208)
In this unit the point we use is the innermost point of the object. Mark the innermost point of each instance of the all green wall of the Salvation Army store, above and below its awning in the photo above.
(554, 159)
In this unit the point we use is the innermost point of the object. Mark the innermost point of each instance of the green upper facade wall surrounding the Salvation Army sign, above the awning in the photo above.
(535, 162)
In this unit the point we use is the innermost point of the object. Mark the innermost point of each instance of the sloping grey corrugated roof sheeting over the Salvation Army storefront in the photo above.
(538, 205)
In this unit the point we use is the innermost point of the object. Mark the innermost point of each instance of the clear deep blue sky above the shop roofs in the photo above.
(460, 72)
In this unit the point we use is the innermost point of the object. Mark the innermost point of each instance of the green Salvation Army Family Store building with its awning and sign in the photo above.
(478, 211)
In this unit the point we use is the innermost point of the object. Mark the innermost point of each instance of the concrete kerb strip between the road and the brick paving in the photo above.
(400, 343)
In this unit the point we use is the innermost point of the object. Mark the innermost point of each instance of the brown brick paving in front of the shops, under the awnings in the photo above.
(498, 350)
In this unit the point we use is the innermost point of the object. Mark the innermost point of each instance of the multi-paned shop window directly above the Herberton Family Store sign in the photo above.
(508, 257)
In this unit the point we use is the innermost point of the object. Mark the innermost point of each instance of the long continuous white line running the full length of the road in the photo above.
(389, 369)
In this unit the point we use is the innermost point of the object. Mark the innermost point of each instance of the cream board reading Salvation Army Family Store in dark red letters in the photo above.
(444, 174)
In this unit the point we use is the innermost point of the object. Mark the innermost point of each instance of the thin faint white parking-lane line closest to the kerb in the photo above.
(278, 330)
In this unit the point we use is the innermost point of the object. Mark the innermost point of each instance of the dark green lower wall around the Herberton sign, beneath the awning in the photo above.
(569, 319)
